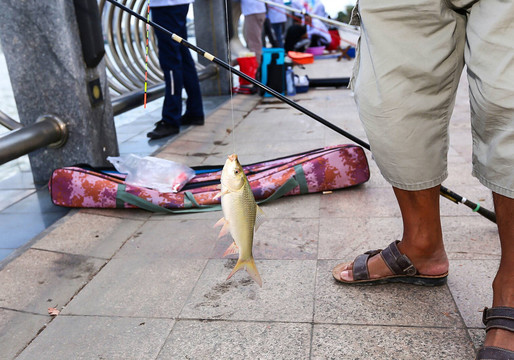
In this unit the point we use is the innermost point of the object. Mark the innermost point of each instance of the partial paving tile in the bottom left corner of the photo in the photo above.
(17, 329)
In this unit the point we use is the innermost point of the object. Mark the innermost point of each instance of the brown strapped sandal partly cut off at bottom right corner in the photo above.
(498, 317)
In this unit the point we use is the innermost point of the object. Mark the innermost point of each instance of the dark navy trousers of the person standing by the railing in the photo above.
(177, 64)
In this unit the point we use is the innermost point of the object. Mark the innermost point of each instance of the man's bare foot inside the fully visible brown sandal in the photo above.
(434, 264)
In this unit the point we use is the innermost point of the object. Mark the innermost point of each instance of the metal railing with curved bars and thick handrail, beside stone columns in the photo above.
(126, 64)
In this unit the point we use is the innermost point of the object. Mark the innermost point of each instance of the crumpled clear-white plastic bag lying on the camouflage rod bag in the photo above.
(160, 174)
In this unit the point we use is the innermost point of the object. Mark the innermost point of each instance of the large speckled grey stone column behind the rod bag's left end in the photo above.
(42, 46)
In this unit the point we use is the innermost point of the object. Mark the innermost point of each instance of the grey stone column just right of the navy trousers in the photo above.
(211, 36)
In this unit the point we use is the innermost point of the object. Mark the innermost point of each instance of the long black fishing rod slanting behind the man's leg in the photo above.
(444, 191)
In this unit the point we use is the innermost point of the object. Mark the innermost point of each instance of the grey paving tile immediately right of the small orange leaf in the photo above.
(144, 286)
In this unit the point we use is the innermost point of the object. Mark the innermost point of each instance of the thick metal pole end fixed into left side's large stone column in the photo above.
(46, 131)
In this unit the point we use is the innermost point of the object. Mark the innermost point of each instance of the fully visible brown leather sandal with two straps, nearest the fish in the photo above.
(402, 268)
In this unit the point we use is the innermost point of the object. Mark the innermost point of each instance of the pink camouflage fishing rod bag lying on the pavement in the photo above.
(329, 168)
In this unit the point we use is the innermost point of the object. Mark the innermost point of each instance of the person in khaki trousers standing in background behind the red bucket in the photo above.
(255, 13)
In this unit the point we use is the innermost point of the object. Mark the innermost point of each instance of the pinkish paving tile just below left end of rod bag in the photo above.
(90, 235)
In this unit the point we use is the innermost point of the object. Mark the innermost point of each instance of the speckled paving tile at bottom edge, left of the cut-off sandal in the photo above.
(390, 342)
